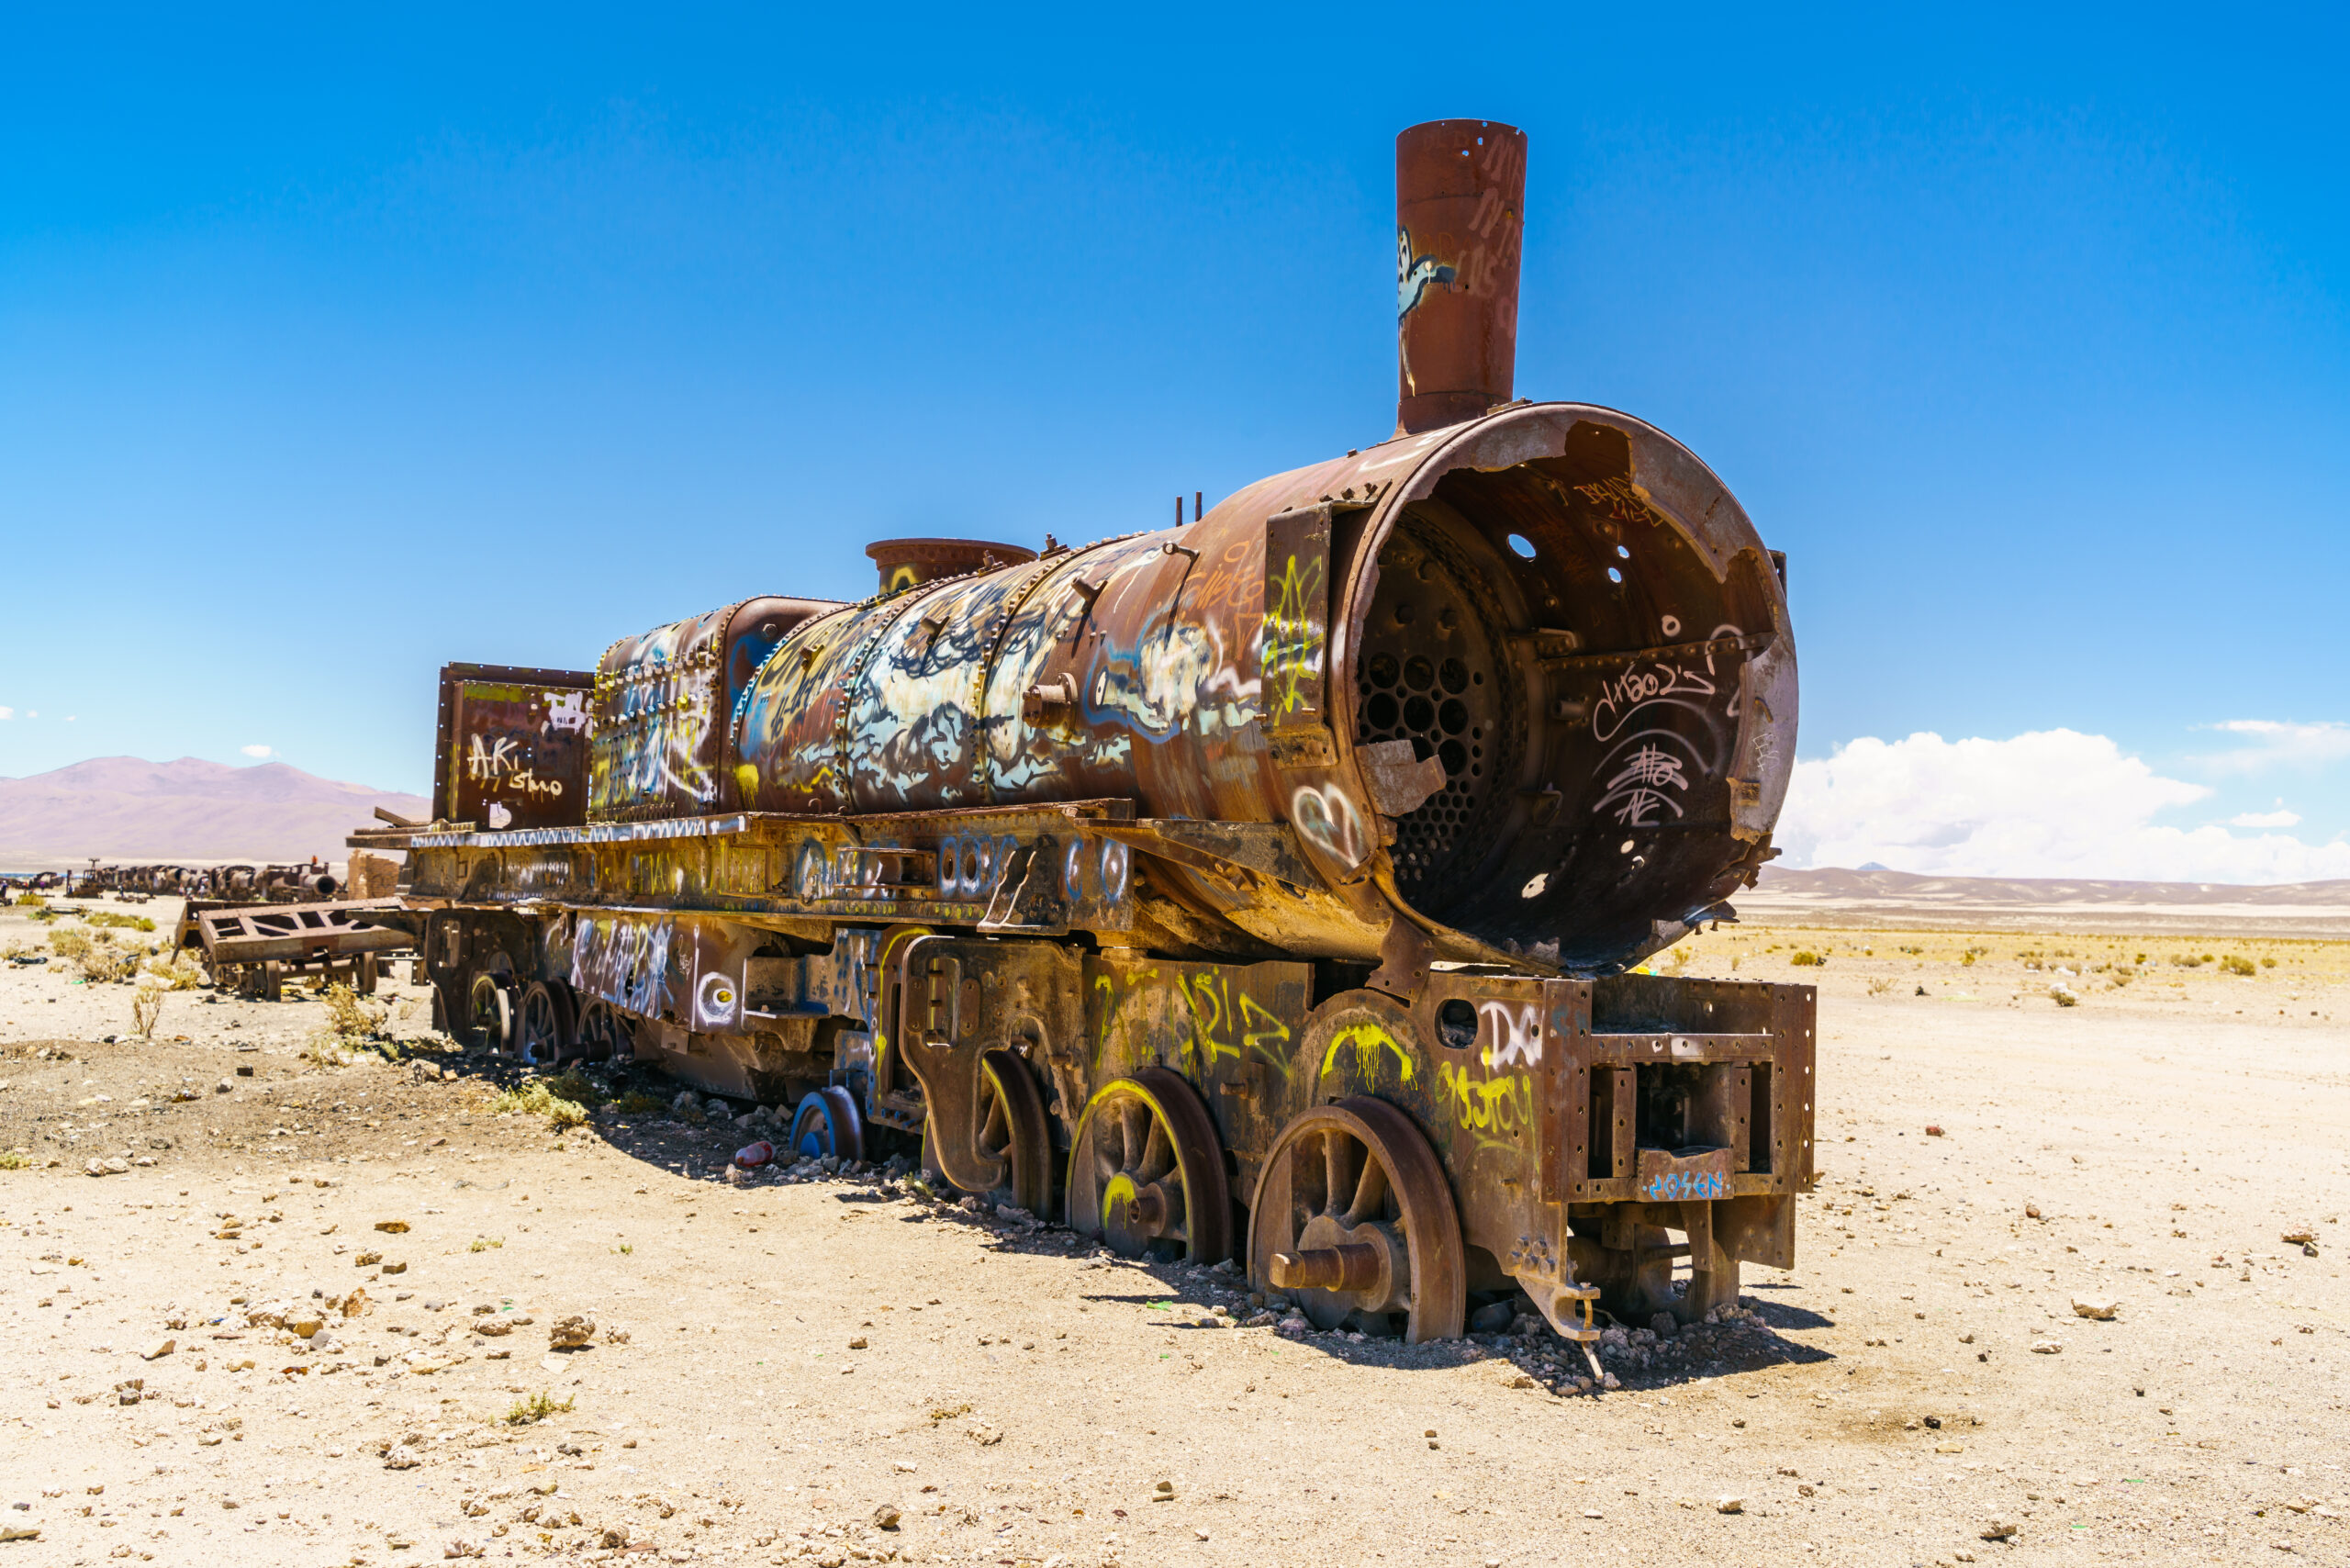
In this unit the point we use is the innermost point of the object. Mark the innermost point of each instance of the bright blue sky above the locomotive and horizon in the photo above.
(335, 349)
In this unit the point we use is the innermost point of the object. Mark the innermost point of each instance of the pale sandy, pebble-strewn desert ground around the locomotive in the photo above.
(842, 1367)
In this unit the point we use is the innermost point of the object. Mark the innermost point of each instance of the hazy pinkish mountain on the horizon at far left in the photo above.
(137, 812)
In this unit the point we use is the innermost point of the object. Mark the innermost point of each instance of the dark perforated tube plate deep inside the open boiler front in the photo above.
(1430, 676)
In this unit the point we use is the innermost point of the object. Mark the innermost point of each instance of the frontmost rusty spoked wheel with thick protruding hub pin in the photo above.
(1355, 1217)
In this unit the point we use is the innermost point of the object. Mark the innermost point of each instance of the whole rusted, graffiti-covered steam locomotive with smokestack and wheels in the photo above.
(1263, 885)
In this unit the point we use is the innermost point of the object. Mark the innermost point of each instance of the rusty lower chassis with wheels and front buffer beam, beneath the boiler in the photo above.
(1378, 1141)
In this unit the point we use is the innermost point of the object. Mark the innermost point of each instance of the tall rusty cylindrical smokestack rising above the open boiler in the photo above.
(1461, 199)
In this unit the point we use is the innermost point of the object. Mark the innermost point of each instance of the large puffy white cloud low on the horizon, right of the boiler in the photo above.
(2041, 805)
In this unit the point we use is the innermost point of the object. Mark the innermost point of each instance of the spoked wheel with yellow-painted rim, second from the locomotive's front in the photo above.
(1148, 1172)
